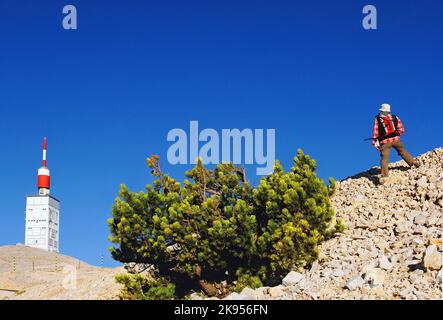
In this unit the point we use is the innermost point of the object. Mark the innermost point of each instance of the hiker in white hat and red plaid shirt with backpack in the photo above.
(387, 131)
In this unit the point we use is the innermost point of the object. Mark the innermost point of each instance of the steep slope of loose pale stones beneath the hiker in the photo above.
(392, 248)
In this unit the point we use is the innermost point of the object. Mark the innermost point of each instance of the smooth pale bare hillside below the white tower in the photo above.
(28, 273)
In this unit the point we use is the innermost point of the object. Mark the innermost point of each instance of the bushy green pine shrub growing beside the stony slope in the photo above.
(217, 228)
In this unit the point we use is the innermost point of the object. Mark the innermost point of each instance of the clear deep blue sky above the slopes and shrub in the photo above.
(106, 94)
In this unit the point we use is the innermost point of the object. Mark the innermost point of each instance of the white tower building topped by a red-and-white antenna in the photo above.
(43, 213)
